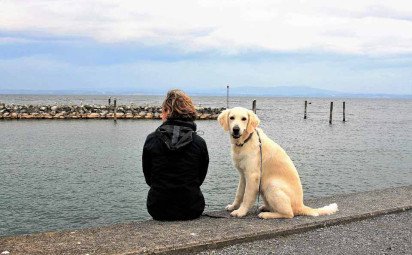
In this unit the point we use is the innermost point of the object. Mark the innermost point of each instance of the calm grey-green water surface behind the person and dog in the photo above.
(67, 174)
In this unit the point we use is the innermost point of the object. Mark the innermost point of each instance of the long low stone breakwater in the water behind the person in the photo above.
(11, 112)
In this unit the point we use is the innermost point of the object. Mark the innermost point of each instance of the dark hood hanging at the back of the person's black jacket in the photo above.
(176, 133)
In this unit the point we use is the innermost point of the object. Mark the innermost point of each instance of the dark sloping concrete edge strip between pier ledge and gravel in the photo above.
(271, 234)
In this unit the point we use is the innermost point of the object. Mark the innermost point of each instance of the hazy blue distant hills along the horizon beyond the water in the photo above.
(280, 91)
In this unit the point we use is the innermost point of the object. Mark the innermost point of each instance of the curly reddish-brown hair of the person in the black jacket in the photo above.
(178, 105)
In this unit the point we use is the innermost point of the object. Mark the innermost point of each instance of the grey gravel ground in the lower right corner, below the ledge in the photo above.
(388, 234)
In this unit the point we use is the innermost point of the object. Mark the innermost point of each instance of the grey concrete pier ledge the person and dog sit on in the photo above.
(216, 230)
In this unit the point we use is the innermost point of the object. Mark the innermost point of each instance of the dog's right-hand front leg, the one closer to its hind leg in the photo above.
(249, 197)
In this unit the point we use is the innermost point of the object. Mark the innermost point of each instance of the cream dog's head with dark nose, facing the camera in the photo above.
(238, 121)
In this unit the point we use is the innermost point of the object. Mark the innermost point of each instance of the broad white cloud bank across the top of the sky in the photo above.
(230, 26)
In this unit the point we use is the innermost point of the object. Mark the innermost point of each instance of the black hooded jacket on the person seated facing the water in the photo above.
(175, 162)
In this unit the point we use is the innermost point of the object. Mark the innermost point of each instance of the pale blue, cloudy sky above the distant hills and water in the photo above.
(348, 46)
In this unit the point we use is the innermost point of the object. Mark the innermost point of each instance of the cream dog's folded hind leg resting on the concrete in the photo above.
(279, 203)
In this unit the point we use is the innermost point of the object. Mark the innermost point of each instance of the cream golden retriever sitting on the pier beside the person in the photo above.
(281, 188)
